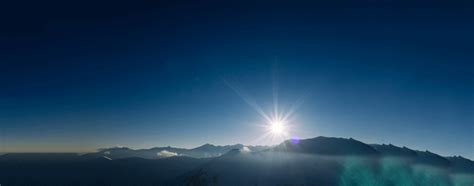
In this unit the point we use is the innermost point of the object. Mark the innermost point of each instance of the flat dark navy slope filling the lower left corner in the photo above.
(99, 171)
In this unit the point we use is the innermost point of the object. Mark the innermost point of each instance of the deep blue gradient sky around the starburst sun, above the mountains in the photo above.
(84, 75)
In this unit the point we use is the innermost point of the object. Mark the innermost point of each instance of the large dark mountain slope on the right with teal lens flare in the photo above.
(332, 161)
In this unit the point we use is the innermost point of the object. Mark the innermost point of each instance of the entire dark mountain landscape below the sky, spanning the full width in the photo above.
(316, 161)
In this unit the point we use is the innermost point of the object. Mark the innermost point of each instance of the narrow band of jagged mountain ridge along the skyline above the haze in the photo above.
(318, 145)
